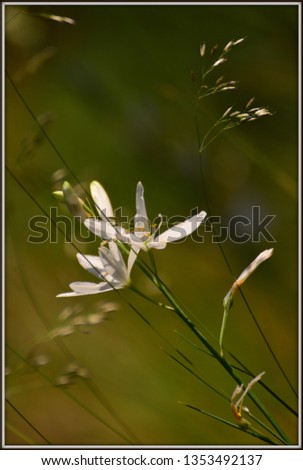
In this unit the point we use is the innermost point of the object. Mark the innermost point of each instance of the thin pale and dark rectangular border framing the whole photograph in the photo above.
(150, 447)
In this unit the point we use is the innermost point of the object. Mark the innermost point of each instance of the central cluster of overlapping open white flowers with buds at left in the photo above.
(109, 266)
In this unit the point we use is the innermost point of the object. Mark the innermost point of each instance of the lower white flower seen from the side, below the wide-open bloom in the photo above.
(108, 266)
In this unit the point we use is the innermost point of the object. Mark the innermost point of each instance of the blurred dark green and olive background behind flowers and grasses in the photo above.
(117, 91)
